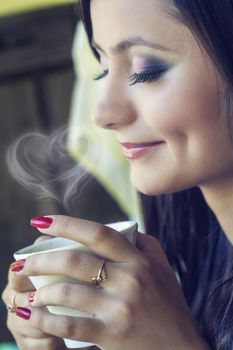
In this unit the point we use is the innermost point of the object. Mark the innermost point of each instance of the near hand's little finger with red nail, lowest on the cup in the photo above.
(87, 329)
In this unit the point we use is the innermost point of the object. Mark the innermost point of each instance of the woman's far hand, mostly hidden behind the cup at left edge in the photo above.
(27, 336)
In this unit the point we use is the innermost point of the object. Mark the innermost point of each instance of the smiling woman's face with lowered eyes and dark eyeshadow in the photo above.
(162, 95)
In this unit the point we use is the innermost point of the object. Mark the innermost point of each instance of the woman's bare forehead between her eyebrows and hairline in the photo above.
(117, 20)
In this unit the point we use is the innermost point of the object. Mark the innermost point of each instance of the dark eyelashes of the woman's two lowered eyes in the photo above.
(137, 78)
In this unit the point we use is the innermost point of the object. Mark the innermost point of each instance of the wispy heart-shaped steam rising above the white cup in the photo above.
(42, 164)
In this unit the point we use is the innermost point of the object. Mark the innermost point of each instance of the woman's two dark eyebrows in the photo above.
(132, 42)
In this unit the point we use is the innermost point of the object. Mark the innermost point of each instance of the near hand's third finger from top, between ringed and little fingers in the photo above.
(75, 296)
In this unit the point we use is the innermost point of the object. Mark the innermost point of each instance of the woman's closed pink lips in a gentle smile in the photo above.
(138, 150)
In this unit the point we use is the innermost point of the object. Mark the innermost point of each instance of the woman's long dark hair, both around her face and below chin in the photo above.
(182, 221)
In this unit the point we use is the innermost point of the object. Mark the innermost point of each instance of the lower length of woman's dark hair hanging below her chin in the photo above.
(201, 255)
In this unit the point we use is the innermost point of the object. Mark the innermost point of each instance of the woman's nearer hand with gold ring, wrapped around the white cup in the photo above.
(140, 305)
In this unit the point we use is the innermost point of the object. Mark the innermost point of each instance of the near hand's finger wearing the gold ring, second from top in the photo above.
(71, 263)
